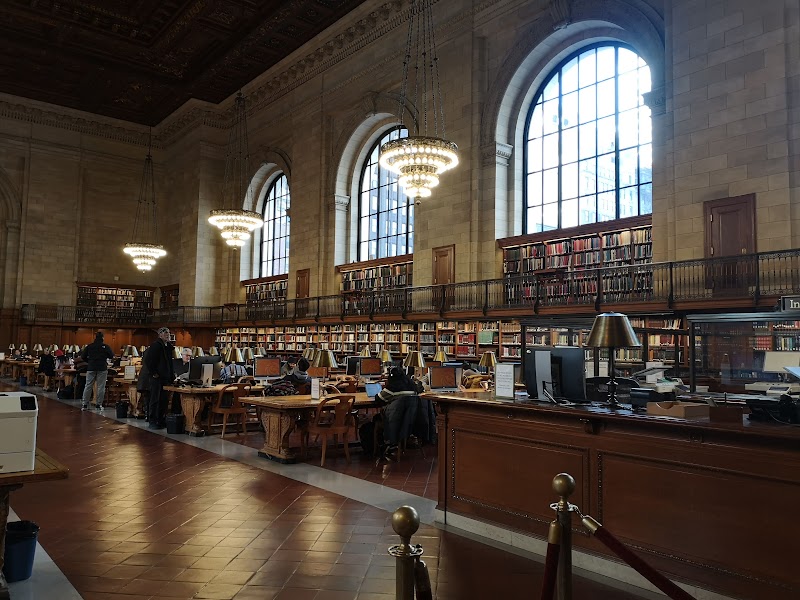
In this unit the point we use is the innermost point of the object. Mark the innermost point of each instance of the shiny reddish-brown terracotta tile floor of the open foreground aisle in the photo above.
(143, 517)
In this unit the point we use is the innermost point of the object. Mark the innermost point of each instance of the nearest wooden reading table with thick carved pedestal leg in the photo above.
(279, 416)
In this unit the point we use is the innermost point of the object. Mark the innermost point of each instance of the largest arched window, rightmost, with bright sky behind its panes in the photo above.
(588, 154)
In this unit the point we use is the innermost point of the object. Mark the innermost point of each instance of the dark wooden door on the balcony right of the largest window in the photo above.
(730, 232)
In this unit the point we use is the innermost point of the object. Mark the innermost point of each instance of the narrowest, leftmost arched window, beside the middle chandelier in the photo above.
(275, 240)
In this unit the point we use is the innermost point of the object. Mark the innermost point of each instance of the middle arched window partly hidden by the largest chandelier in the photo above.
(385, 213)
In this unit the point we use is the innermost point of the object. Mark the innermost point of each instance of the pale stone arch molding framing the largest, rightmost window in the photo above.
(538, 50)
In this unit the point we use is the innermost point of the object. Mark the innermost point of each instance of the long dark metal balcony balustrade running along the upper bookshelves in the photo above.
(748, 277)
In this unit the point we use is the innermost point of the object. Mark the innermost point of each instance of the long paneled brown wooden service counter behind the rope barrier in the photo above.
(710, 504)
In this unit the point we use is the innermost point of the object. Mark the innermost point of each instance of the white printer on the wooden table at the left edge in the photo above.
(19, 413)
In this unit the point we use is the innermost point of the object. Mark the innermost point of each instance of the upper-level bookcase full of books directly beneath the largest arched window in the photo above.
(565, 266)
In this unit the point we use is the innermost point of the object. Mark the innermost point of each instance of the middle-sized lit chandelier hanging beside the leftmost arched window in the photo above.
(236, 224)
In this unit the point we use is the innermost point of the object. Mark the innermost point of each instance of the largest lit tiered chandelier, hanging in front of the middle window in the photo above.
(419, 159)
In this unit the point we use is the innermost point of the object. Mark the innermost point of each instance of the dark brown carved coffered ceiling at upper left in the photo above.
(139, 60)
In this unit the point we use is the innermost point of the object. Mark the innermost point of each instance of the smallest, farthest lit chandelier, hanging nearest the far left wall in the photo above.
(144, 249)
